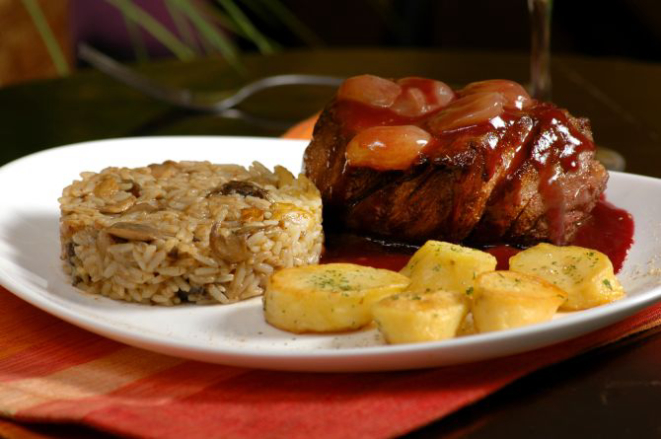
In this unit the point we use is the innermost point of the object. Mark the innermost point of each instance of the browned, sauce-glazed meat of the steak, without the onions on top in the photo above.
(482, 184)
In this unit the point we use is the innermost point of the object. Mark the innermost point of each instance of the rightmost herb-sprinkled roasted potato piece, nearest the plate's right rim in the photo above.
(586, 275)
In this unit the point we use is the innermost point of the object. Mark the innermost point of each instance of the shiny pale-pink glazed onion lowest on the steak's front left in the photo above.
(386, 148)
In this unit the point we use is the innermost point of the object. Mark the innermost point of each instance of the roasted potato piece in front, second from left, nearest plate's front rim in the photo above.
(417, 317)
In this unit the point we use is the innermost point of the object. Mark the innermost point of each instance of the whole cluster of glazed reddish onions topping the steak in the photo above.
(383, 116)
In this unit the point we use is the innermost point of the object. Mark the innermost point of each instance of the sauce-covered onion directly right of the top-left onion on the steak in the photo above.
(421, 96)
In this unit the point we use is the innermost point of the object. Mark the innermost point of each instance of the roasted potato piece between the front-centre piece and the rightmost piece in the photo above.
(506, 299)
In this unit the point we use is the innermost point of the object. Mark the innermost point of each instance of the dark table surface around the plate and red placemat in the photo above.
(609, 392)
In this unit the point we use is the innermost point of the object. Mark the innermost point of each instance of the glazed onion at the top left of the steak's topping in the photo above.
(369, 90)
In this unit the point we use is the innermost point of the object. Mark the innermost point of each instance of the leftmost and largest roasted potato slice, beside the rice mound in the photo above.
(328, 297)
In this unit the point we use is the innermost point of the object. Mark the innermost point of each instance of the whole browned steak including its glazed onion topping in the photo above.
(483, 165)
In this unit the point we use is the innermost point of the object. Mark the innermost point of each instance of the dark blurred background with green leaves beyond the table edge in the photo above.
(38, 37)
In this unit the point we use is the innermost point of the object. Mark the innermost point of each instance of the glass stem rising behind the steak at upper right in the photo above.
(540, 50)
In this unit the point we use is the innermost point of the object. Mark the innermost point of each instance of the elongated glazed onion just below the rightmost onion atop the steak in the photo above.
(470, 110)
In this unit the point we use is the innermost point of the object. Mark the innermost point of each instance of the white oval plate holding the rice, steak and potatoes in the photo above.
(237, 334)
